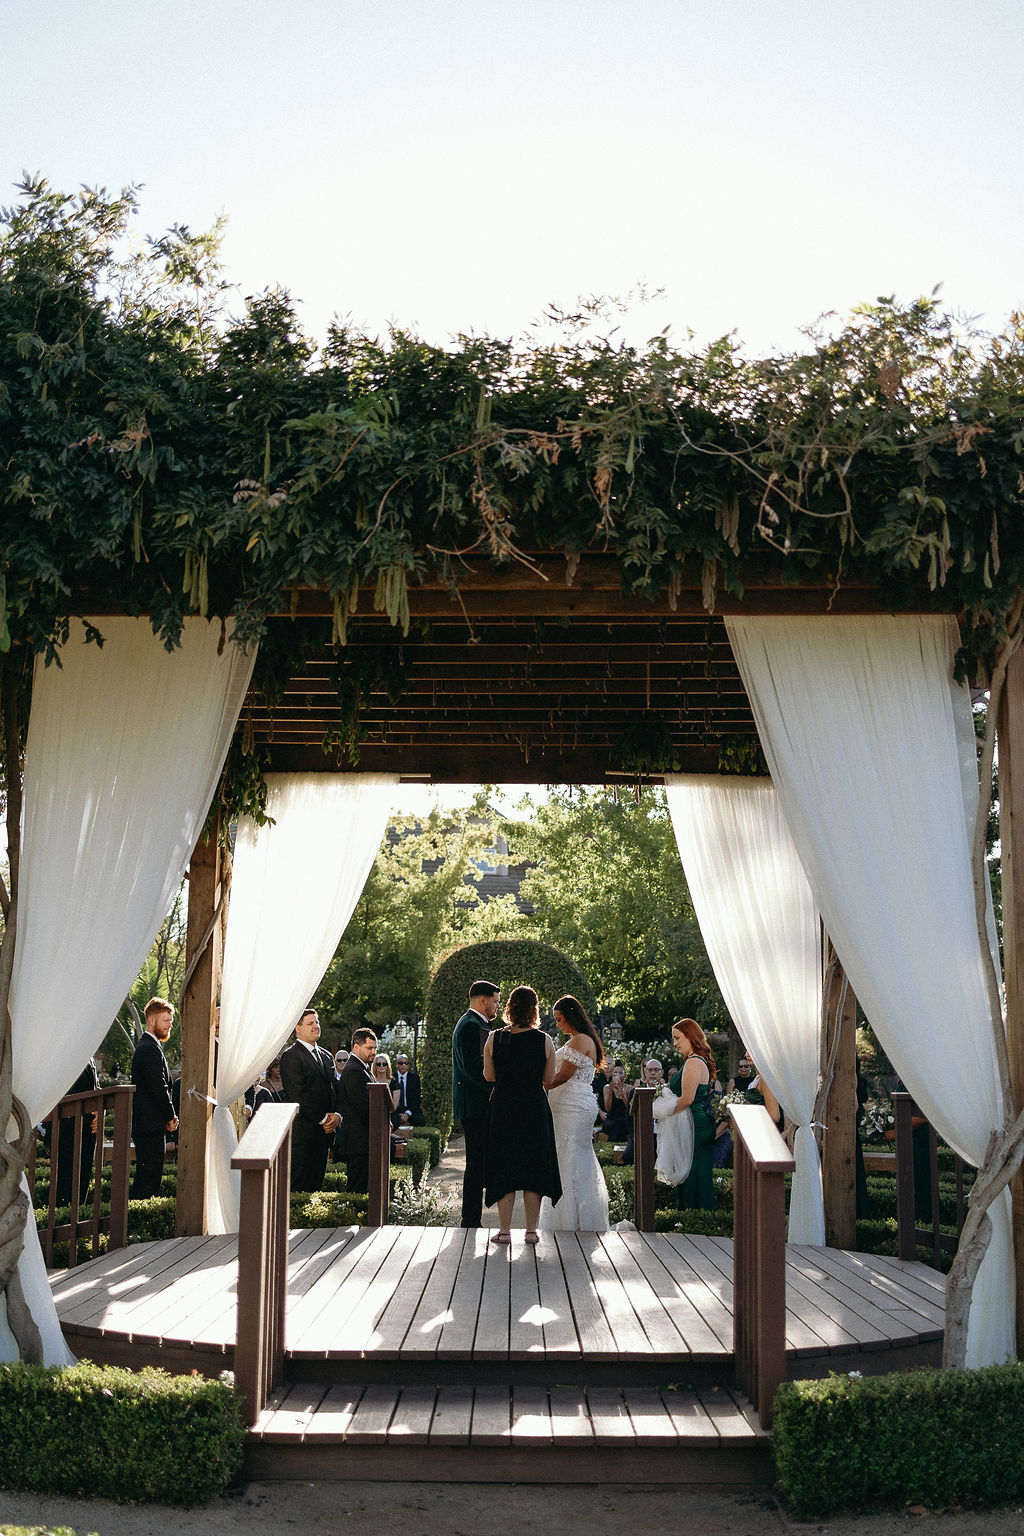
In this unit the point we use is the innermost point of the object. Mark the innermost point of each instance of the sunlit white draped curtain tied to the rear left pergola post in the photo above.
(296, 886)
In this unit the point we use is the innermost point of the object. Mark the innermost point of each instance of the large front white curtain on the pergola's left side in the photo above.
(125, 749)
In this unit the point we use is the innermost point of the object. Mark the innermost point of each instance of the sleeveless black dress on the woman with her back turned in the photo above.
(521, 1137)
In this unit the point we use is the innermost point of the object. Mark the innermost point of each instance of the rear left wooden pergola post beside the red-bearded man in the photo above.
(197, 1036)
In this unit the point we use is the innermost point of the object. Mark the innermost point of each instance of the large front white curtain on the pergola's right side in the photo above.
(871, 750)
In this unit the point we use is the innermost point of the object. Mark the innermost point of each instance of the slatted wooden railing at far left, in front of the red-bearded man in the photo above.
(74, 1116)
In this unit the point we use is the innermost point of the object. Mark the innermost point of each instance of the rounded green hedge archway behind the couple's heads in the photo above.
(507, 962)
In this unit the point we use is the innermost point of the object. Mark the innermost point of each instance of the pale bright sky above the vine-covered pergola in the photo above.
(460, 165)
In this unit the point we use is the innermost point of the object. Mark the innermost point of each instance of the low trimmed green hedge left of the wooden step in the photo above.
(136, 1437)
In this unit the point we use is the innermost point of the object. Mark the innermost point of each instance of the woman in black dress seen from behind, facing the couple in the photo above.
(520, 1062)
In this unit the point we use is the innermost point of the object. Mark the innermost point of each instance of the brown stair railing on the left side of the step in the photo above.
(265, 1159)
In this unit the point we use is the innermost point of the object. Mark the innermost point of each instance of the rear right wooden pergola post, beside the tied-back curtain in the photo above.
(839, 1148)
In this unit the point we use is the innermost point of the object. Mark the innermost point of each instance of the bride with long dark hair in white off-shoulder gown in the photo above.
(584, 1203)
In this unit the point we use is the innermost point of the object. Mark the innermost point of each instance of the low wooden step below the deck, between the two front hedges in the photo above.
(510, 1435)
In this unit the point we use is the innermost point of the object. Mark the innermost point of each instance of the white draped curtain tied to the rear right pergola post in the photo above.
(764, 939)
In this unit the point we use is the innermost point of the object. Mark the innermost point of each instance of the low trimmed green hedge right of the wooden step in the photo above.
(922, 1437)
